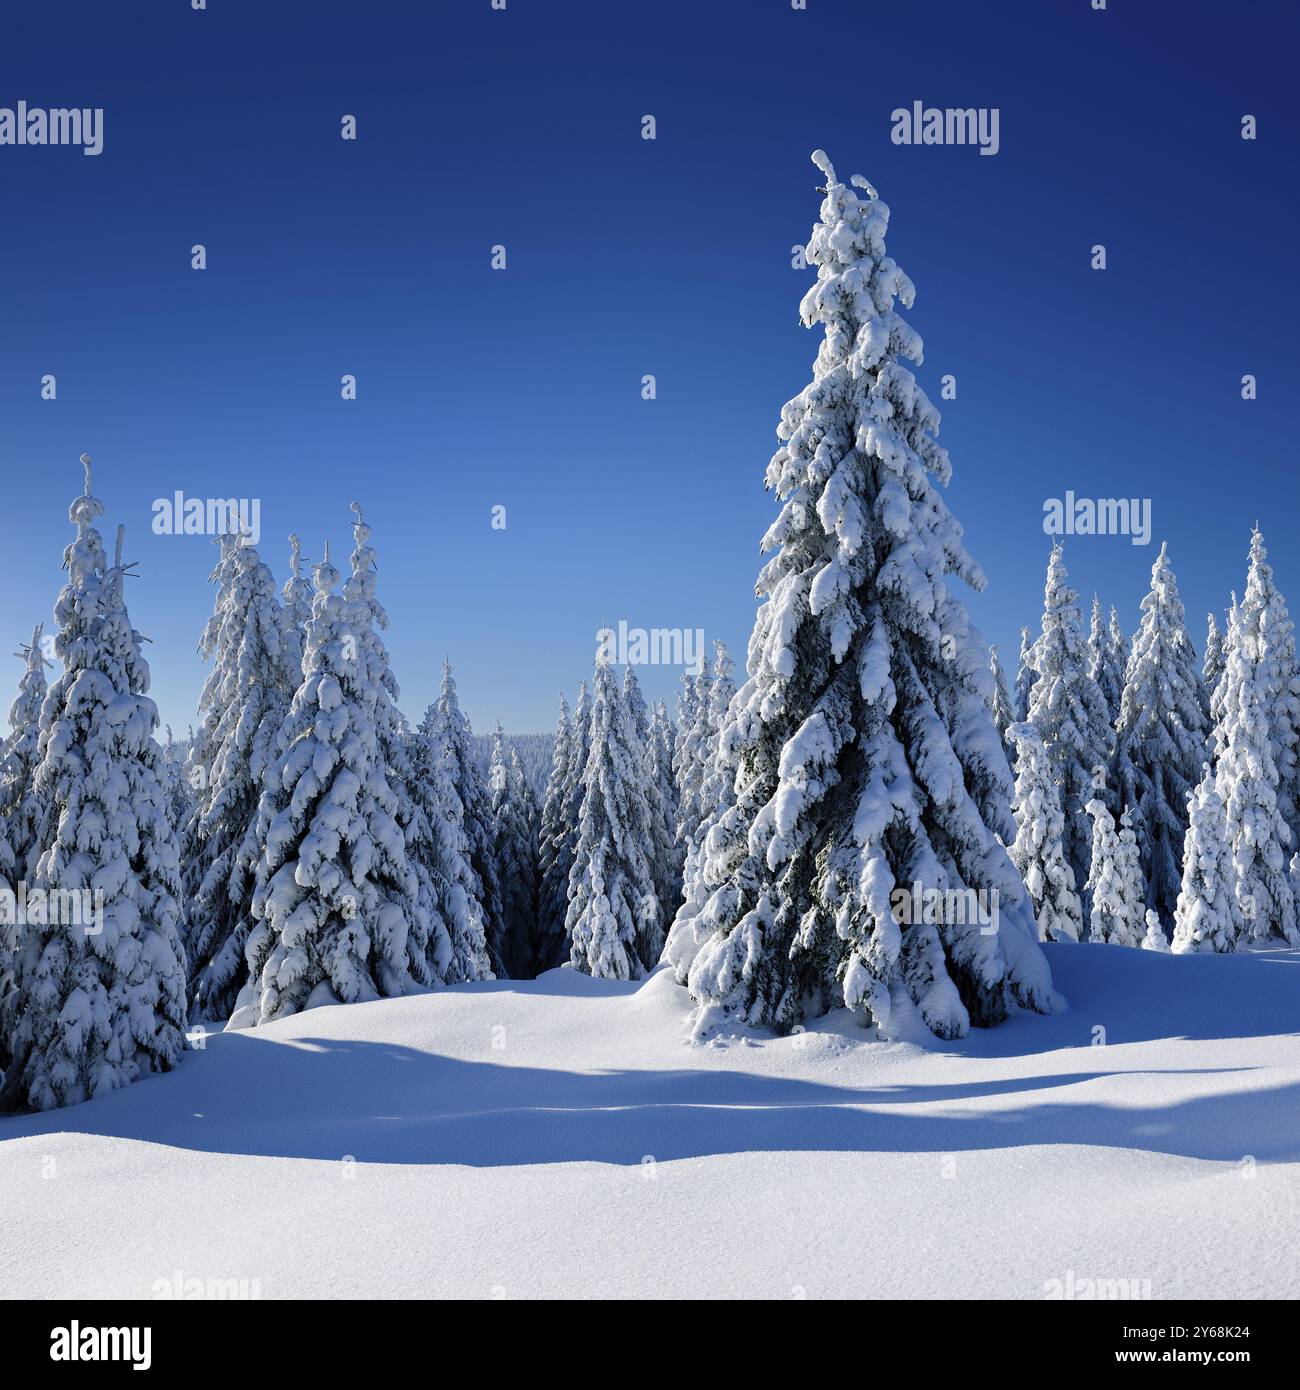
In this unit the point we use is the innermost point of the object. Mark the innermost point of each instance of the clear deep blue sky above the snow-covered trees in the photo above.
(523, 389)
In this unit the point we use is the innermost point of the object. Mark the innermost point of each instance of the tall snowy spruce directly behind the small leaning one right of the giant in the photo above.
(1070, 712)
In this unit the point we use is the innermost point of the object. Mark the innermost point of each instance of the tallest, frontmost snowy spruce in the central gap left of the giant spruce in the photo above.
(614, 922)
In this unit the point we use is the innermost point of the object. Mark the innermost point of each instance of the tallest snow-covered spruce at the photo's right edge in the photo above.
(1246, 778)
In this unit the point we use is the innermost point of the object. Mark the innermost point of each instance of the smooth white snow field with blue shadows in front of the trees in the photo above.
(558, 1138)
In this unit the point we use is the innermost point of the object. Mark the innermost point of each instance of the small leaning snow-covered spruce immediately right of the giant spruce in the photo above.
(1038, 849)
